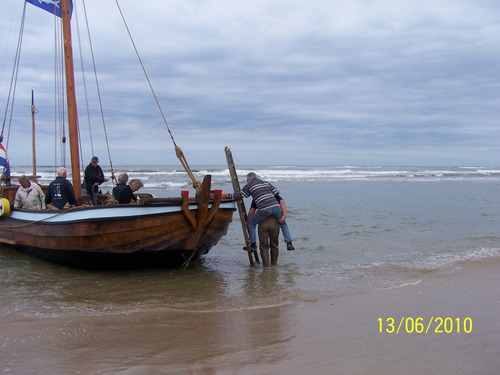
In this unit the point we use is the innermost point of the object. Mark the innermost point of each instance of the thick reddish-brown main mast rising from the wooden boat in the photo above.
(71, 98)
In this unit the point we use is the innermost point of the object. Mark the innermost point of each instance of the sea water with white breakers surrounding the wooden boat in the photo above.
(356, 230)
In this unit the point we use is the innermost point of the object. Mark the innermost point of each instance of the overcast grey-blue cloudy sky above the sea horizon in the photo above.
(333, 82)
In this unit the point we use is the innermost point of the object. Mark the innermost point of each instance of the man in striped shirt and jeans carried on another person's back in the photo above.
(264, 195)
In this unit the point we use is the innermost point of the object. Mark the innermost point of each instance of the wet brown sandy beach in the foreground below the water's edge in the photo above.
(338, 335)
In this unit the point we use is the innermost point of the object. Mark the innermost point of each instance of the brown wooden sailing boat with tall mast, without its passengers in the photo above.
(158, 231)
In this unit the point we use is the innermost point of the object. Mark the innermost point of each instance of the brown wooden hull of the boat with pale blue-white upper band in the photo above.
(129, 232)
